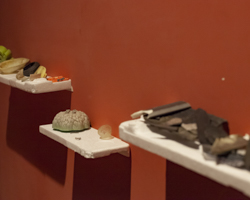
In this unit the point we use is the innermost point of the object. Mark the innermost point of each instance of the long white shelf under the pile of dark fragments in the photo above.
(136, 132)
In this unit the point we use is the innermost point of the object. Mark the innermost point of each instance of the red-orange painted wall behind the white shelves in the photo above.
(123, 56)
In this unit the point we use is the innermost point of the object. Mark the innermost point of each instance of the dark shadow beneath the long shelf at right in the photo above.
(181, 183)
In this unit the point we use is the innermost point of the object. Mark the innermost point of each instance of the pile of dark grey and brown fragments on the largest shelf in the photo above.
(198, 129)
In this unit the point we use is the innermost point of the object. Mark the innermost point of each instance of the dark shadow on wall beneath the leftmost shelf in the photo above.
(28, 111)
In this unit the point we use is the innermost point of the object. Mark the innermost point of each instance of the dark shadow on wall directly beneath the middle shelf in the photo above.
(102, 178)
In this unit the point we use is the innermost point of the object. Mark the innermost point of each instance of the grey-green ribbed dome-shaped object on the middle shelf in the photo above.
(71, 120)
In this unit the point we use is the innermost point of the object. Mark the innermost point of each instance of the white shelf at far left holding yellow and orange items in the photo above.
(41, 85)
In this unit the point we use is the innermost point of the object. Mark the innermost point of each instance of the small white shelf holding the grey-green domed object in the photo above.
(87, 143)
